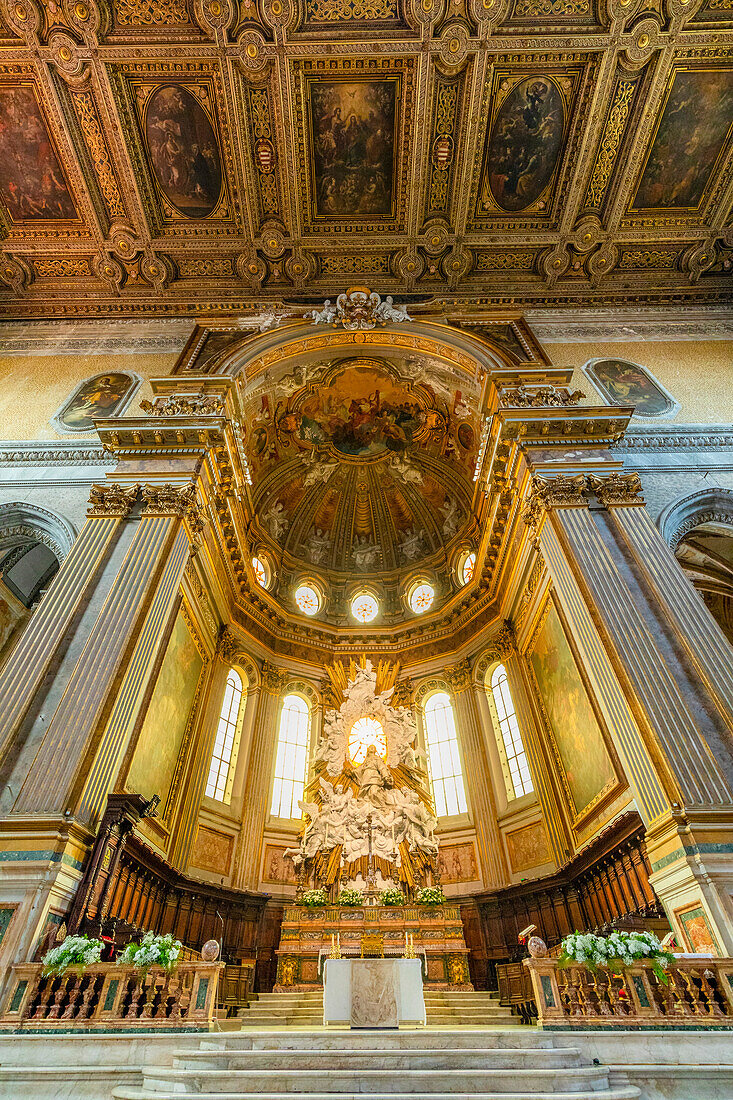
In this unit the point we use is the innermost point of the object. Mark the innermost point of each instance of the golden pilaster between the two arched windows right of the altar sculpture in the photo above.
(478, 775)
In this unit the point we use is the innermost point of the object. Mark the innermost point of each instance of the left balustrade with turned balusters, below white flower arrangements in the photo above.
(107, 997)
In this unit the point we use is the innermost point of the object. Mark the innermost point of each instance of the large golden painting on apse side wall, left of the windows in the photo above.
(165, 727)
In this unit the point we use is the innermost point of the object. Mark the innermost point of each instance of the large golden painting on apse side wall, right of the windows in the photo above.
(584, 756)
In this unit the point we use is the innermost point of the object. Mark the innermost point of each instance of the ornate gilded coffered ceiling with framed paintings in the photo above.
(212, 156)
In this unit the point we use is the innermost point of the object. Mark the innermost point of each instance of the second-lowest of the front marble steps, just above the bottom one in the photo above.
(379, 1082)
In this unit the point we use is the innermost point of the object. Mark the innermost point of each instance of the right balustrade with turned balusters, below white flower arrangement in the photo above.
(697, 994)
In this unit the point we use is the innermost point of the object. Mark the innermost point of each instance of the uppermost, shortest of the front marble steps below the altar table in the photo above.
(482, 1039)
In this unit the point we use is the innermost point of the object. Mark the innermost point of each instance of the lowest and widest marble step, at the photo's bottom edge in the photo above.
(618, 1093)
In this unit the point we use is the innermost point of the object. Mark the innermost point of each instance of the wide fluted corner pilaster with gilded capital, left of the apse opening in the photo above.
(86, 736)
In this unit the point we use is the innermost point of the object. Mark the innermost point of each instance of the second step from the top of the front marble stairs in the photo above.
(429, 1059)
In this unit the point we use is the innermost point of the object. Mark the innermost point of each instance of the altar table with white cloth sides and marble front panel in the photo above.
(374, 993)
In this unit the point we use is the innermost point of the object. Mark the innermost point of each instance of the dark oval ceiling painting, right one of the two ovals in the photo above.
(526, 142)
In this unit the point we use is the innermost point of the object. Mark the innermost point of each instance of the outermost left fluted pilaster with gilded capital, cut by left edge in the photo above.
(30, 661)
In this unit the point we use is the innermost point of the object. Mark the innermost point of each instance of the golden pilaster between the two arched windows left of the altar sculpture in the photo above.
(259, 779)
